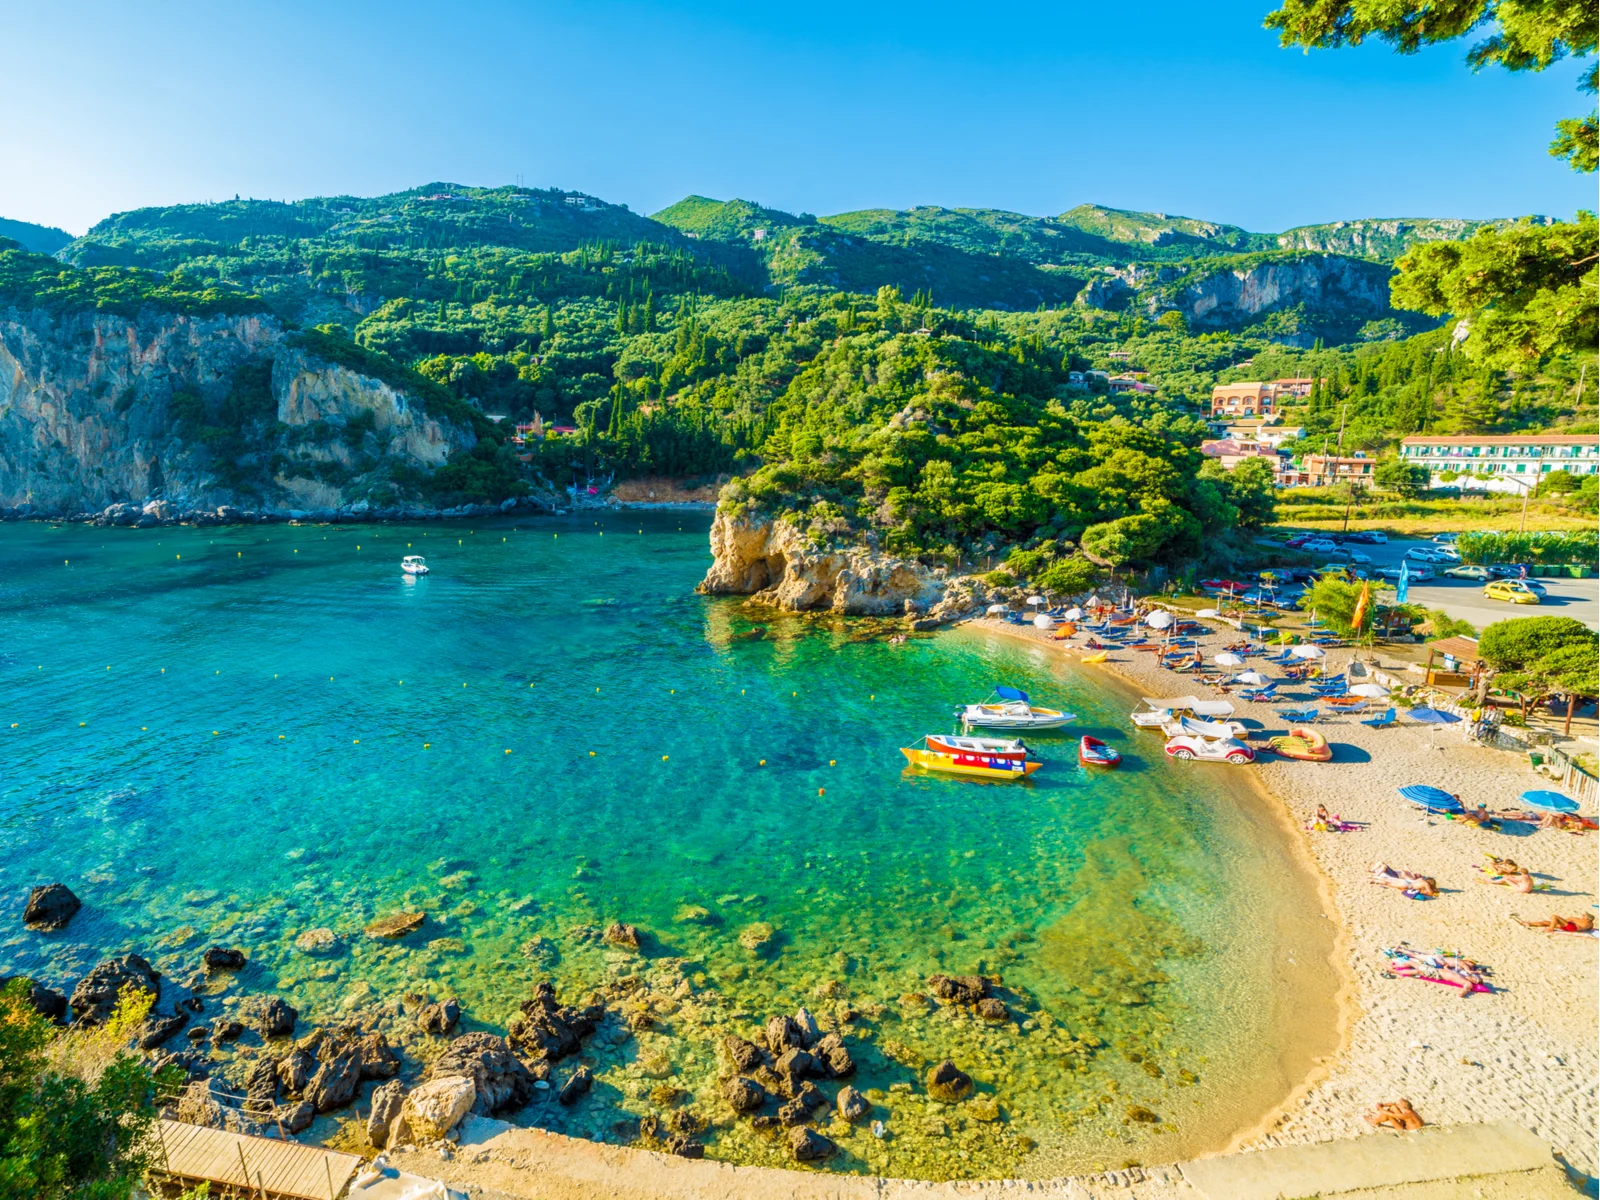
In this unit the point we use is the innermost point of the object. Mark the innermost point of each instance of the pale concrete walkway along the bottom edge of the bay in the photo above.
(1487, 1162)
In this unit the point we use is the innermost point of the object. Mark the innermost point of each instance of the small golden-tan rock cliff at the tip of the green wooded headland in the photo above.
(772, 562)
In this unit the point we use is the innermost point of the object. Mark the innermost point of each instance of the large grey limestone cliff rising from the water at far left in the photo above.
(201, 412)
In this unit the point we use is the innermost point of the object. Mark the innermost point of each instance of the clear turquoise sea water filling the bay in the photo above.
(239, 735)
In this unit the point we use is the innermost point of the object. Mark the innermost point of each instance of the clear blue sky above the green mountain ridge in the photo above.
(1182, 108)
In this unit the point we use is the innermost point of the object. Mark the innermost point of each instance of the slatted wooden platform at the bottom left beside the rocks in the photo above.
(234, 1164)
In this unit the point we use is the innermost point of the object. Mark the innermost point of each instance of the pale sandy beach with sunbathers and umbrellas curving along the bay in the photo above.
(1527, 1052)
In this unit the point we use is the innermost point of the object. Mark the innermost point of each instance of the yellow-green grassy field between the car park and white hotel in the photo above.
(1410, 519)
